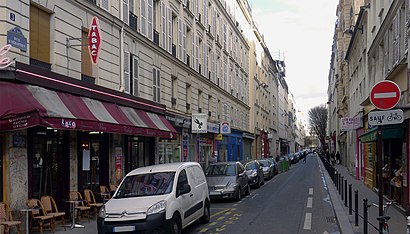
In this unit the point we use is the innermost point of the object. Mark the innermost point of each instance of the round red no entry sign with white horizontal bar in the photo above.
(385, 95)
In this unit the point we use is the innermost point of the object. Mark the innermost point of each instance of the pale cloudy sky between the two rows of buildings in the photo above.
(303, 31)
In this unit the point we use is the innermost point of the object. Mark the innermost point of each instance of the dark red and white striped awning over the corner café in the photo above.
(23, 106)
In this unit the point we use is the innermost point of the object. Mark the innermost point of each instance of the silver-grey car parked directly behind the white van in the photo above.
(227, 180)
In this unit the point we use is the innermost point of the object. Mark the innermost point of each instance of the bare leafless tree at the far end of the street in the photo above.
(317, 118)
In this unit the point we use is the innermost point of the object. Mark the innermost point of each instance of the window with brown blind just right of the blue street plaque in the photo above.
(39, 35)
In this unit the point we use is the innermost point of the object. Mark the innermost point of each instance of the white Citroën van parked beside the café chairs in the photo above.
(161, 198)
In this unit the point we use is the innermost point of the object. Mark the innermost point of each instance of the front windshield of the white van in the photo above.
(146, 185)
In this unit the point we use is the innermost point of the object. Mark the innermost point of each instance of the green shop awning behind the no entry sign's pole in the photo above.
(388, 132)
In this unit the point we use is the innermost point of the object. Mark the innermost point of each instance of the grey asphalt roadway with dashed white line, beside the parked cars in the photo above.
(293, 202)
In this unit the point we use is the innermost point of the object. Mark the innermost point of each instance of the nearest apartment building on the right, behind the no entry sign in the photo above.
(377, 51)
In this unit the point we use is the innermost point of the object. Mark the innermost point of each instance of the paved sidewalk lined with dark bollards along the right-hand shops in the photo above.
(397, 222)
